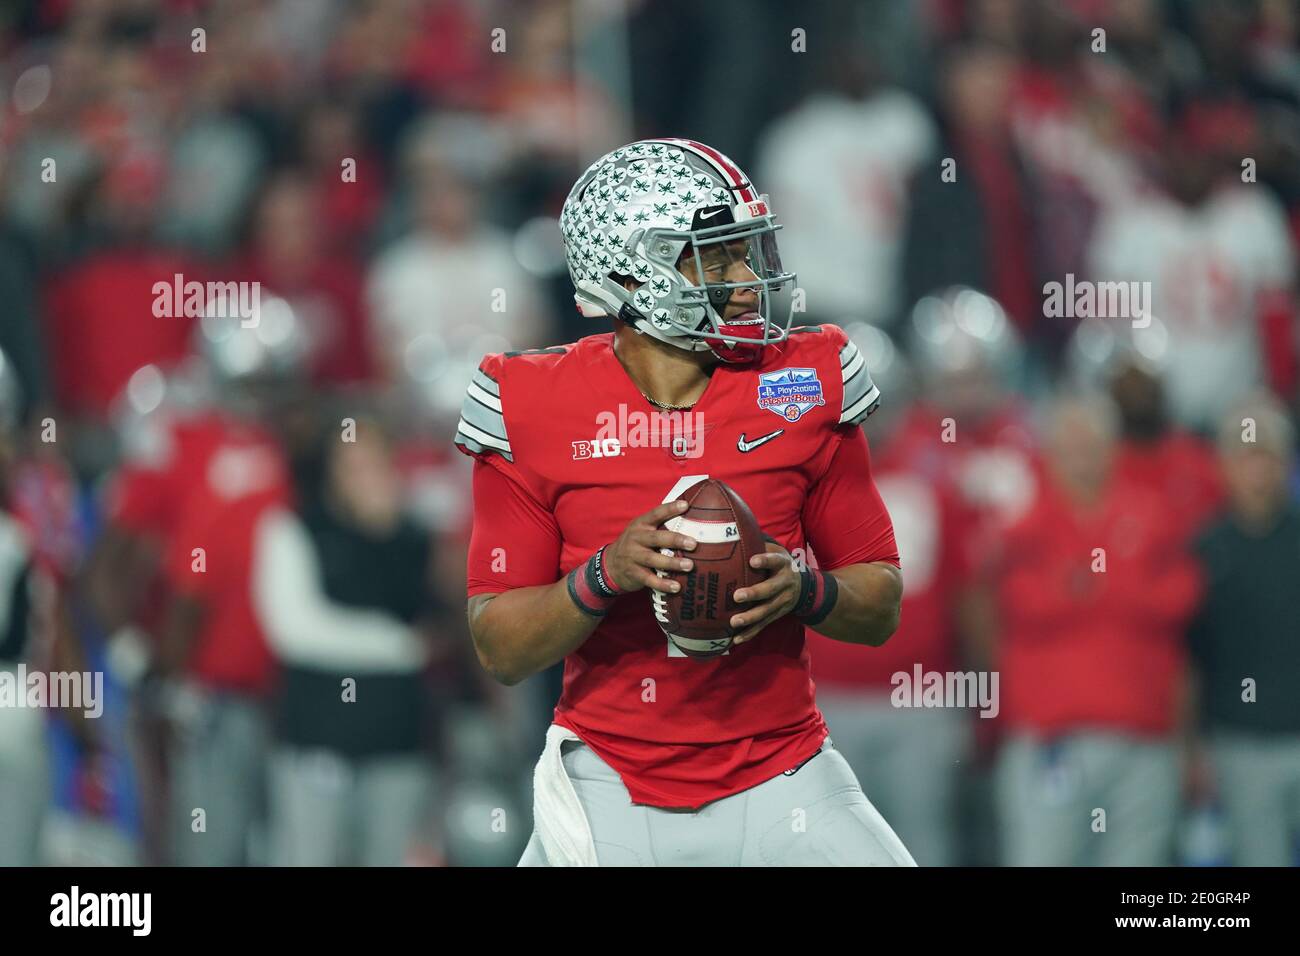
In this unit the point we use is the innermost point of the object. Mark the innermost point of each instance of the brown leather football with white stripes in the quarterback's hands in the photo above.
(697, 618)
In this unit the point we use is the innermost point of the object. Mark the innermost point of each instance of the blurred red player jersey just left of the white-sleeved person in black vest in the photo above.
(244, 475)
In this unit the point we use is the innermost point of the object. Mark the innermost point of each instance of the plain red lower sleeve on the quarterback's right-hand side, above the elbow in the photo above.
(844, 518)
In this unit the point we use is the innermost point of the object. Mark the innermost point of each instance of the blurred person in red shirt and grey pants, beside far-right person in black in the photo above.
(1094, 594)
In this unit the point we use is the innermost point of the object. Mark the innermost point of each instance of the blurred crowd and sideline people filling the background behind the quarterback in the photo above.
(258, 534)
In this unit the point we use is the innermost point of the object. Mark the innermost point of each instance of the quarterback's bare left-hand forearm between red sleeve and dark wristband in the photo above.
(523, 631)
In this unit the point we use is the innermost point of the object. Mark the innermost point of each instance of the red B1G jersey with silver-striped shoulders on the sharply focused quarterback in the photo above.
(570, 452)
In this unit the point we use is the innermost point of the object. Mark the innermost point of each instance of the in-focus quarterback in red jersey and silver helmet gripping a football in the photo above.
(657, 758)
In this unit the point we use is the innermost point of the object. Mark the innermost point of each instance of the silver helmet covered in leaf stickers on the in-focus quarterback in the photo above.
(639, 211)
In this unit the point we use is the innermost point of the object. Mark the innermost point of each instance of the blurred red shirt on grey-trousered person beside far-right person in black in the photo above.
(1085, 648)
